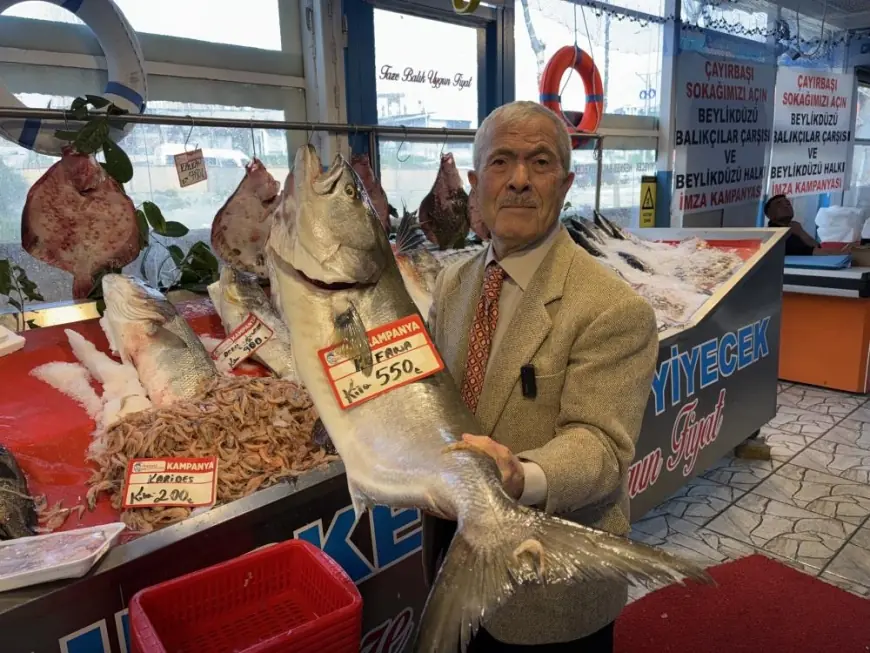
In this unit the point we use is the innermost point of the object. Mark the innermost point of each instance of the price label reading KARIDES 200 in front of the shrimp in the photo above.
(170, 482)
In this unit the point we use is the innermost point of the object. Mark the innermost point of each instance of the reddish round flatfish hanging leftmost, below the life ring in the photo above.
(79, 219)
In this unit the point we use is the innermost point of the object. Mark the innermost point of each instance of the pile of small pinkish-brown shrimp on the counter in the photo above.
(259, 429)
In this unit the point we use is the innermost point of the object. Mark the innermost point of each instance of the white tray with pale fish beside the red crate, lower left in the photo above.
(55, 564)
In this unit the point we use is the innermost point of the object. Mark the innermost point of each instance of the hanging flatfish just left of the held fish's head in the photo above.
(241, 226)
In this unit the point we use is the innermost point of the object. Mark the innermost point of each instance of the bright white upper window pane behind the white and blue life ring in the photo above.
(253, 23)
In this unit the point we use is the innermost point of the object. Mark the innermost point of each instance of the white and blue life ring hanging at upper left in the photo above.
(127, 86)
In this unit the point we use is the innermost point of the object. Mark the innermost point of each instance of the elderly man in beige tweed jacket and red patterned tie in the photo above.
(555, 355)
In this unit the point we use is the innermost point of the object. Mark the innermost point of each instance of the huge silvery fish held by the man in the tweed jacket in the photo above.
(333, 264)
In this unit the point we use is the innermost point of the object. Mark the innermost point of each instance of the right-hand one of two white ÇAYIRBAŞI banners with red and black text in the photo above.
(811, 132)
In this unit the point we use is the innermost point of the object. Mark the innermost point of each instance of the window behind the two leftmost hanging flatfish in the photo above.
(151, 149)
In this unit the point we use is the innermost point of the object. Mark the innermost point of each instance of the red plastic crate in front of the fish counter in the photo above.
(285, 597)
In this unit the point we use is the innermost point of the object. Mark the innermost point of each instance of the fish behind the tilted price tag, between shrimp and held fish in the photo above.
(236, 296)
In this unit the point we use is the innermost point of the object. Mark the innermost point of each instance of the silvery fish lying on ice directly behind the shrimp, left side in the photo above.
(147, 332)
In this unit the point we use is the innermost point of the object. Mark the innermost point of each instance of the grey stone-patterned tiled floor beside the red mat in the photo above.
(809, 507)
